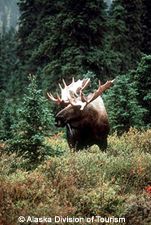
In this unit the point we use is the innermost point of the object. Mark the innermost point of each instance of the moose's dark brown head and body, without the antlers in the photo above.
(85, 127)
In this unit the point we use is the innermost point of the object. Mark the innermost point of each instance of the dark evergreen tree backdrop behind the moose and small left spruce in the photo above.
(62, 39)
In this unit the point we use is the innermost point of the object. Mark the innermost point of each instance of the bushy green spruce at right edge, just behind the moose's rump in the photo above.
(129, 100)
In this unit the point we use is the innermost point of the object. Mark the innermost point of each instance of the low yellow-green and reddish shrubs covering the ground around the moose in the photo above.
(80, 184)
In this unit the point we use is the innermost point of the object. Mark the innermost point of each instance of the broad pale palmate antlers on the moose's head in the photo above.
(73, 93)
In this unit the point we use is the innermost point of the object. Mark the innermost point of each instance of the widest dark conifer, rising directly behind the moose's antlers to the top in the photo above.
(62, 38)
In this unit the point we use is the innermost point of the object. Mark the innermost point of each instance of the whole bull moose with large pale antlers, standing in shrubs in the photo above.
(84, 116)
